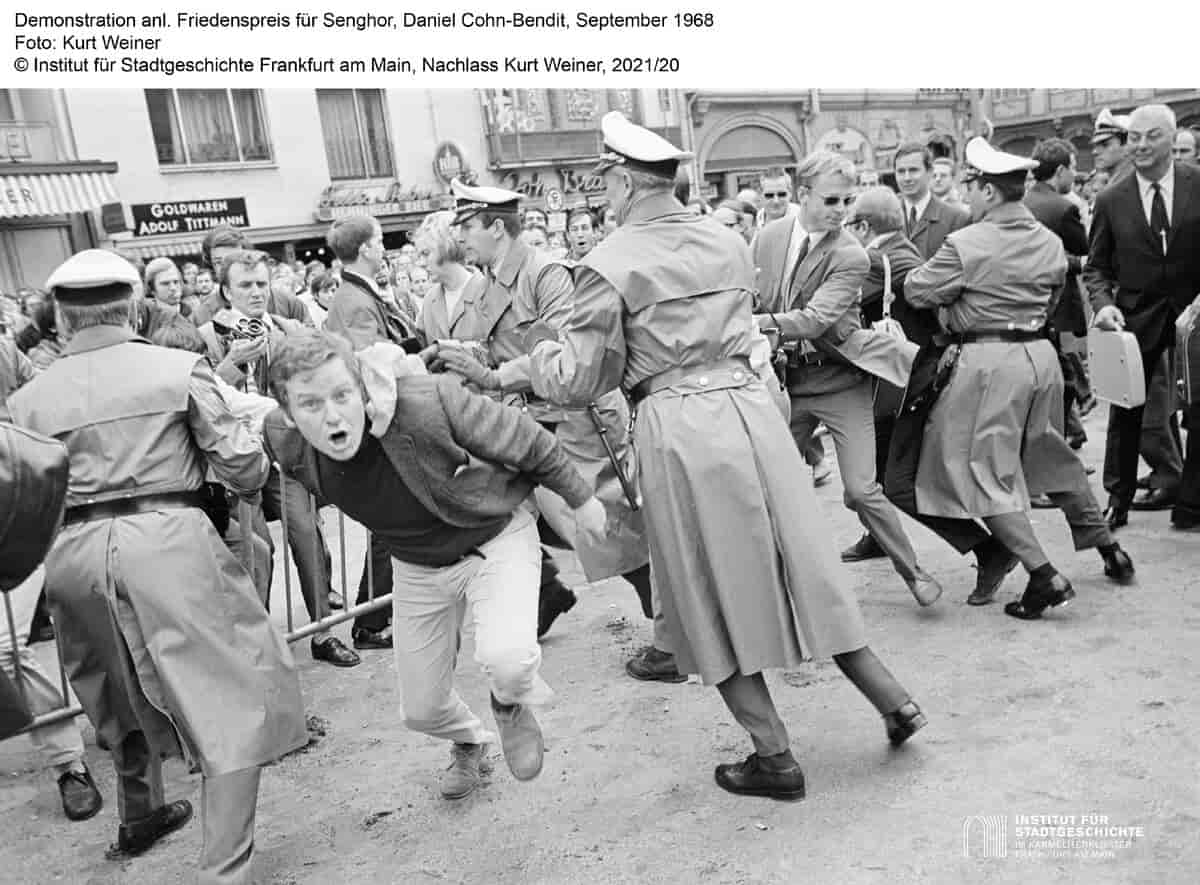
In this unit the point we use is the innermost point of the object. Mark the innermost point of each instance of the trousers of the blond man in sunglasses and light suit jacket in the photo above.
(849, 414)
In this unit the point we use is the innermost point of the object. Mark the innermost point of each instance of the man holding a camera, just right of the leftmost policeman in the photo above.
(244, 364)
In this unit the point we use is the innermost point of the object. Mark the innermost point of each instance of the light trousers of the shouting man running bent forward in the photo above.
(494, 594)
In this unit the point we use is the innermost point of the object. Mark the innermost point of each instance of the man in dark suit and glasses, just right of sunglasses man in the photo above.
(878, 221)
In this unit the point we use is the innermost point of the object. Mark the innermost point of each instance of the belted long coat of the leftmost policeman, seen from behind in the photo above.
(159, 625)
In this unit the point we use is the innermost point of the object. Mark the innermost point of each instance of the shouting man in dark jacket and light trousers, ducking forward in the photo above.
(458, 532)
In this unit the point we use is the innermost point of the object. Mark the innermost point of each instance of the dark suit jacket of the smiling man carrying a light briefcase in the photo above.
(1126, 266)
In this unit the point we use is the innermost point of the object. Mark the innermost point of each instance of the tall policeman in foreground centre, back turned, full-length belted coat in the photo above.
(747, 580)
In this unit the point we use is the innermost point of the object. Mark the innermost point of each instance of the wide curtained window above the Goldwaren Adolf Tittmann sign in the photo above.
(197, 127)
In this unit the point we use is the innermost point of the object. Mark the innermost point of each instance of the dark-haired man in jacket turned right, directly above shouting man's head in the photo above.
(363, 317)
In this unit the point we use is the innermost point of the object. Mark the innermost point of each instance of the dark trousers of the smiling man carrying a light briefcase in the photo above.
(1160, 443)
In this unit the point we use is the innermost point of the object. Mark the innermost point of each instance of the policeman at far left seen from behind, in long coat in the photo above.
(134, 579)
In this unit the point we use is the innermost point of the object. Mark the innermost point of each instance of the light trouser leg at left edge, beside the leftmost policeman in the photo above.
(59, 746)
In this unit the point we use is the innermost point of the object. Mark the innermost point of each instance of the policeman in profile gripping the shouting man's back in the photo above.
(529, 291)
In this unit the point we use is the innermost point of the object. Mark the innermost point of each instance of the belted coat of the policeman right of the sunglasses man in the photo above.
(994, 438)
